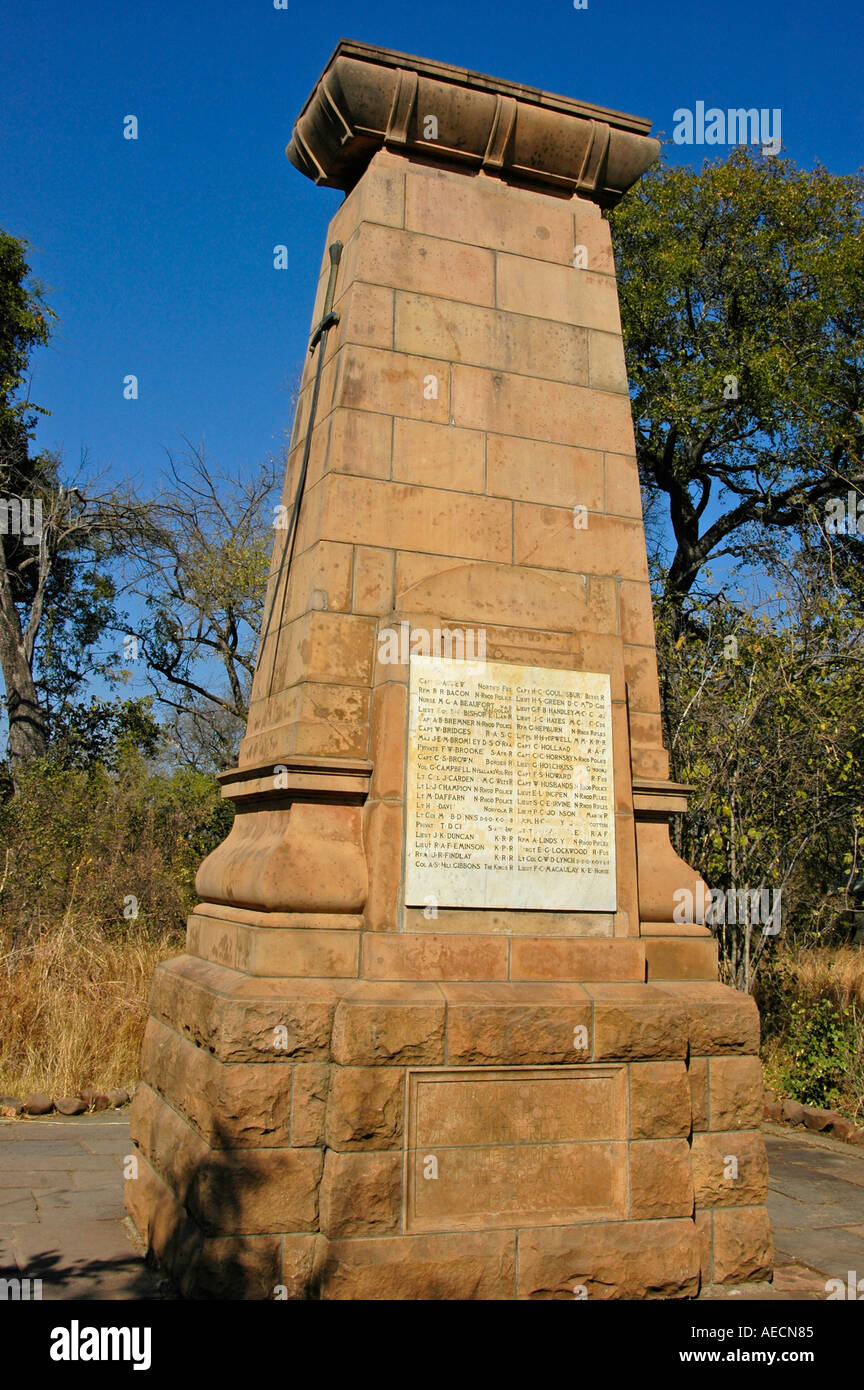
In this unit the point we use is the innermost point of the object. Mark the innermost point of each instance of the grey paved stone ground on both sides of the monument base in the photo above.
(62, 1216)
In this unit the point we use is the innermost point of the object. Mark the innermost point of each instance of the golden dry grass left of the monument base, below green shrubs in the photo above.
(74, 1006)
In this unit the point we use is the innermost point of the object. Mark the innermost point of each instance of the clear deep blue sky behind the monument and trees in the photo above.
(158, 254)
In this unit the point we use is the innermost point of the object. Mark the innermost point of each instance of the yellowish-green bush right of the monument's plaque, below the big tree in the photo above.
(765, 717)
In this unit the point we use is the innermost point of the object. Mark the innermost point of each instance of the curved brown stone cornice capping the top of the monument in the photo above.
(370, 99)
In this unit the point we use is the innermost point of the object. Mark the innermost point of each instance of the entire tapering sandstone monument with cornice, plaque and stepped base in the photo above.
(437, 1032)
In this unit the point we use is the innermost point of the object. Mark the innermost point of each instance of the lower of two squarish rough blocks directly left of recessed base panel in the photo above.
(362, 1195)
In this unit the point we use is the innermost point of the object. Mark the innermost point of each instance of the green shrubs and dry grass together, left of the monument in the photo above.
(76, 965)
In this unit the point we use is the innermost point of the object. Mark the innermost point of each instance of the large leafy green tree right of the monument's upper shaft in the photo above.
(742, 302)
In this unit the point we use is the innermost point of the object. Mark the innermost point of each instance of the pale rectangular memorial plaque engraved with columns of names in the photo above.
(510, 794)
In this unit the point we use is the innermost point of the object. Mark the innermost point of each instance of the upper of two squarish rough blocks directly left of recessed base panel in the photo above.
(366, 1109)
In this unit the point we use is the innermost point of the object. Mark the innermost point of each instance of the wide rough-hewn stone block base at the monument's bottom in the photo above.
(445, 1139)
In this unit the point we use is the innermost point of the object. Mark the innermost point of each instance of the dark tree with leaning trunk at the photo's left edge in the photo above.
(59, 543)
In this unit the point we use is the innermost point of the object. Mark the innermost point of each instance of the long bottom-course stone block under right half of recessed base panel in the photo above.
(619, 1260)
